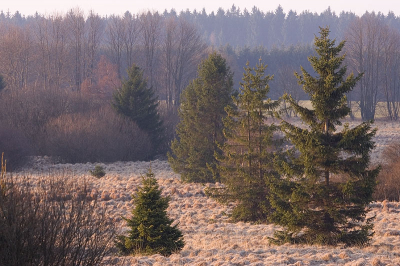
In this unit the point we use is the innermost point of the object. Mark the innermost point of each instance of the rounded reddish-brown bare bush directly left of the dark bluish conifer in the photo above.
(97, 136)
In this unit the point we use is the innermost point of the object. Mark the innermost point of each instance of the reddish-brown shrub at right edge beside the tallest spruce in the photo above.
(388, 186)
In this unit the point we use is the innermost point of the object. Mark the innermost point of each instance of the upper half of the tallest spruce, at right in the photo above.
(328, 88)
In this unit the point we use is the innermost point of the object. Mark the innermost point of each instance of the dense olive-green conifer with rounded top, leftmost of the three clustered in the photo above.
(200, 129)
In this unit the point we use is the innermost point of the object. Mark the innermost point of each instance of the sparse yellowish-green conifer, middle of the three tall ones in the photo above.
(246, 164)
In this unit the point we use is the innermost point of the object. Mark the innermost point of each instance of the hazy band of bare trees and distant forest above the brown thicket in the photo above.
(92, 53)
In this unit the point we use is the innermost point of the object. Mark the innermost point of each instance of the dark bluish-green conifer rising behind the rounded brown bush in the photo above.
(136, 101)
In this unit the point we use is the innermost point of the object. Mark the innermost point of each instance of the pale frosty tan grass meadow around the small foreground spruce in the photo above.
(210, 238)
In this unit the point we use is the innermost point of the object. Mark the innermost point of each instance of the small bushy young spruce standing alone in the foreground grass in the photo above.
(150, 228)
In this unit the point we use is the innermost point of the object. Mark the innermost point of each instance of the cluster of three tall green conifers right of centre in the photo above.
(319, 189)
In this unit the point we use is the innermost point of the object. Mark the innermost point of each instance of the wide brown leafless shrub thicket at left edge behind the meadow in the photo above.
(73, 126)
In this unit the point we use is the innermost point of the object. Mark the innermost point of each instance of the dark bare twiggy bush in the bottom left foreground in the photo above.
(51, 221)
